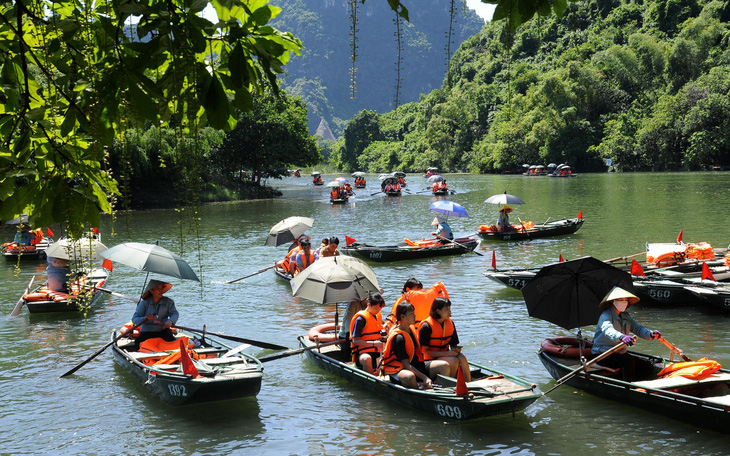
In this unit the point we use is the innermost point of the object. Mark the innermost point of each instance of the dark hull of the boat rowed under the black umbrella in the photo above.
(663, 401)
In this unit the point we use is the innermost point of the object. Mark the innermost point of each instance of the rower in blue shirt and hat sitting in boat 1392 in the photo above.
(157, 312)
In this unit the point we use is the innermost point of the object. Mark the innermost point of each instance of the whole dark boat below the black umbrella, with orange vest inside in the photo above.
(700, 402)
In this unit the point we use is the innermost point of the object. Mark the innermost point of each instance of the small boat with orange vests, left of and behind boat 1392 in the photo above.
(42, 299)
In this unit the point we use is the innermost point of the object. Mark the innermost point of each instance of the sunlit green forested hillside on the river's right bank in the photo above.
(644, 83)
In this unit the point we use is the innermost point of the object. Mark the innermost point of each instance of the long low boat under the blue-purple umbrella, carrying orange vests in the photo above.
(410, 250)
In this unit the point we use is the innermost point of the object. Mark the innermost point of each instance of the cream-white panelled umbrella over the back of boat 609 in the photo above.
(335, 279)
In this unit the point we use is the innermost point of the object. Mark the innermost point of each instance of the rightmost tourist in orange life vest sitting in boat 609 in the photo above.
(439, 340)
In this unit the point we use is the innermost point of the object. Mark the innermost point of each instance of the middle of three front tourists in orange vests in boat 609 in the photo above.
(402, 356)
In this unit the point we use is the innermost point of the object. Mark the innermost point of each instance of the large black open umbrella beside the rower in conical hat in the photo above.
(568, 293)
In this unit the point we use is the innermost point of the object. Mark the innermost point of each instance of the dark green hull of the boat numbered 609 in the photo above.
(442, 402)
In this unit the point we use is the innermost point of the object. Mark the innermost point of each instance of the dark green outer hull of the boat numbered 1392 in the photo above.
(179, 389)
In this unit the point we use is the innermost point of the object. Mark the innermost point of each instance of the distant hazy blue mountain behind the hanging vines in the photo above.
(321, 75)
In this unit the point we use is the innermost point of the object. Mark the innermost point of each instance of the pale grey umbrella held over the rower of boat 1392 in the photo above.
(151, 258)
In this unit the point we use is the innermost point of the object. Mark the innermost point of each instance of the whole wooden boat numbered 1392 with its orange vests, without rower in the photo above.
(224, 377)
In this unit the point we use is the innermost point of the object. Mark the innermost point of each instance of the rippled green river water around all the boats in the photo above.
(300, 410)
